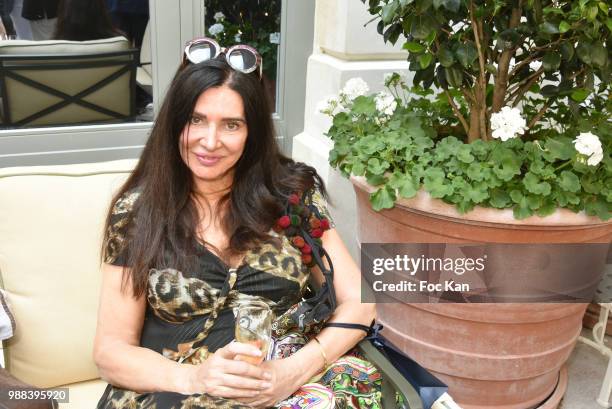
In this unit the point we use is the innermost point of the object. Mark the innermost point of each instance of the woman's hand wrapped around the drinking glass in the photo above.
(224, 376)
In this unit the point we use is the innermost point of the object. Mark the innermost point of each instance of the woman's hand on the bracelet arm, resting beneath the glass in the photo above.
(285, 380)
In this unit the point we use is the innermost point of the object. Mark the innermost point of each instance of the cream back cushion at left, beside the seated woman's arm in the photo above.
(51, 221)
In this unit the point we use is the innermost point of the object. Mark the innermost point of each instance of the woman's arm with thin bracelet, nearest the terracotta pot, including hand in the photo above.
(291, 373)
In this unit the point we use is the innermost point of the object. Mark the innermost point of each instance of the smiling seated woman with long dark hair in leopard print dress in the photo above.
(190, 237)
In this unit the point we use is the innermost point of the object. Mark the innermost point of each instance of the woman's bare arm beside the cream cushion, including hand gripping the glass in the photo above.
(122, 362)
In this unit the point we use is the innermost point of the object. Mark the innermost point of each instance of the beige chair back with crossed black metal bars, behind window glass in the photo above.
(68, 88)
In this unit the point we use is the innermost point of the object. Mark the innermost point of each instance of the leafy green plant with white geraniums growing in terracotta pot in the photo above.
(508, 108)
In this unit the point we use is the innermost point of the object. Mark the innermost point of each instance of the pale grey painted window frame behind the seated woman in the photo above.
(172, 24)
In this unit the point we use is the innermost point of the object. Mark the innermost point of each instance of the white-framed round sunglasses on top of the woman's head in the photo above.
(240, 57)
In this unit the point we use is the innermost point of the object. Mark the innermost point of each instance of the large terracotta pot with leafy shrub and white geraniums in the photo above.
(503, 136)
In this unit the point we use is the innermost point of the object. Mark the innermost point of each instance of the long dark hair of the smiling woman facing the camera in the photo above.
(161, 230)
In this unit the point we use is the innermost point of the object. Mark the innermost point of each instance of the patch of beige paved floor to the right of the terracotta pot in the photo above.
(587, 367)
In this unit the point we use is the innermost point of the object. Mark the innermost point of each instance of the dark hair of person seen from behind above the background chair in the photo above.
(82, 20)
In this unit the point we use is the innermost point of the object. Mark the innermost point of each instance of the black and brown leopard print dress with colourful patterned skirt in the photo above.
(190, 314)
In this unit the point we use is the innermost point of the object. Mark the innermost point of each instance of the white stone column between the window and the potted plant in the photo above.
(343, 49)
